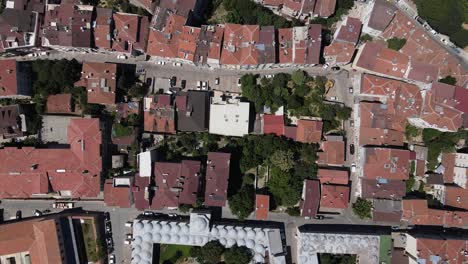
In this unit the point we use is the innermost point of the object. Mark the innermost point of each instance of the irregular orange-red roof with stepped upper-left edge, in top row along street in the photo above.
(164, 43)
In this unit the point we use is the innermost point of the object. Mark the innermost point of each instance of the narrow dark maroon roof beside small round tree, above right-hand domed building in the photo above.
(310, 198)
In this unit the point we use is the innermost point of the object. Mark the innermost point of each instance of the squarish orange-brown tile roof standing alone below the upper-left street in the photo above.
(100, 80)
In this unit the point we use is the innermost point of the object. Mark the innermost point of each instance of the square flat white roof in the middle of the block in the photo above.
(229, 117)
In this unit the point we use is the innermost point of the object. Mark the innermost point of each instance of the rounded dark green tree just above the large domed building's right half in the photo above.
(242, 203)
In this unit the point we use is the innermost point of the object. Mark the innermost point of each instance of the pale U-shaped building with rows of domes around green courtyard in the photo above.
(199, 231)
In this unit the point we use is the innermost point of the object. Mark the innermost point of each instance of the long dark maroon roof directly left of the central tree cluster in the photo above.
(217, 176)
